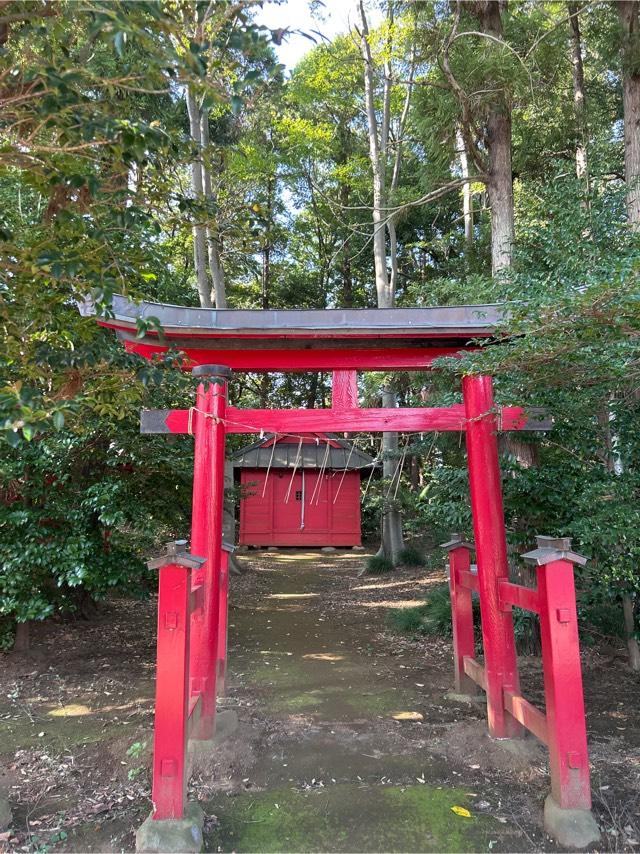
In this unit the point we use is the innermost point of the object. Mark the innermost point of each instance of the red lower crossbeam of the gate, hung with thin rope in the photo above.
(418, 420)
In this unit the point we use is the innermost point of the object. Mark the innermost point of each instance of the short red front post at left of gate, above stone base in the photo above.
(172, 693)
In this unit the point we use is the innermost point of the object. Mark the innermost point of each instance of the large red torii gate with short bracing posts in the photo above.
(193, 587)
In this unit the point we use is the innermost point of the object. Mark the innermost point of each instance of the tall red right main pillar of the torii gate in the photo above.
(501, 667)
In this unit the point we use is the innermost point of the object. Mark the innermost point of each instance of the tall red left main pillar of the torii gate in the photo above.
(206, 537)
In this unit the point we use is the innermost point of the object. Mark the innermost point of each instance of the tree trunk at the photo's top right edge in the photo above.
(628, 13)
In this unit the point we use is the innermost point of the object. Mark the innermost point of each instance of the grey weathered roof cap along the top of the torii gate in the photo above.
(457, 322)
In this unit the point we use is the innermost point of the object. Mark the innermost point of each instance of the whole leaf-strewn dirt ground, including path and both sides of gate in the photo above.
(346, 739)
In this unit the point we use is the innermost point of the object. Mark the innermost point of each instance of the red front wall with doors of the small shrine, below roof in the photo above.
(311, 510)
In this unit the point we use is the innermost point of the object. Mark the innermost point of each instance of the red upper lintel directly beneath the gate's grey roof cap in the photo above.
(330, 359)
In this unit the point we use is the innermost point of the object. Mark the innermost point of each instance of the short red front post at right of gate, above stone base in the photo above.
(564, 701)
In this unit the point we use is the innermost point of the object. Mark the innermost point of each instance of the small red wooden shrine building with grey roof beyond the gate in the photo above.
(300, 491)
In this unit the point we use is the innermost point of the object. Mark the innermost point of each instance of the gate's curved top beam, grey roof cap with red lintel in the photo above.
(306, 340)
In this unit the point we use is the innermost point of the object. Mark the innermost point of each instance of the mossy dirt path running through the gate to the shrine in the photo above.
(331, 766)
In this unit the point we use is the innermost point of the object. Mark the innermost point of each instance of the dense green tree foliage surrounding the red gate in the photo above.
(96, 199)
